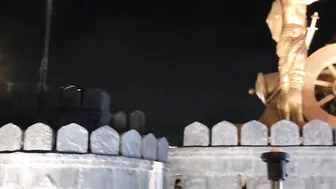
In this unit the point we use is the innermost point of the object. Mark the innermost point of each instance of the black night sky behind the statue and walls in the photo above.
(178, 61)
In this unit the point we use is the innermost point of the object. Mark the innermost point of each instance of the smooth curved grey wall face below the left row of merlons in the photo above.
(72, 171)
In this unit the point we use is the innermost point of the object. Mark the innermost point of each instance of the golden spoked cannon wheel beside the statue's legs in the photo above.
(320, 77)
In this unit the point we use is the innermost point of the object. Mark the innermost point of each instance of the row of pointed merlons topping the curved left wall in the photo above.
(73, 138)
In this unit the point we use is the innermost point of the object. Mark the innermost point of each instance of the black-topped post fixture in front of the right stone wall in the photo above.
(276, 167)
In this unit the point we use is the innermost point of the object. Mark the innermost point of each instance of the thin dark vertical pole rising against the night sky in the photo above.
(45, 59)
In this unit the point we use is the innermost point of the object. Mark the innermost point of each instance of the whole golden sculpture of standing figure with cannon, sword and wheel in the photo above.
(304, 87)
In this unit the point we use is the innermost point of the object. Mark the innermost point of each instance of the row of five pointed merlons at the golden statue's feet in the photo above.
(254, 133)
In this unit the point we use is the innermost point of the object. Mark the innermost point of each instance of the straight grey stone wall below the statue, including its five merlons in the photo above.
(211, 160)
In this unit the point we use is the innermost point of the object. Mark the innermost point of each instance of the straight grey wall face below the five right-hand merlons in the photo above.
(217, 167)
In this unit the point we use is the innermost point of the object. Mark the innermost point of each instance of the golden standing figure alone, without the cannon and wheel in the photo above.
(288, 25)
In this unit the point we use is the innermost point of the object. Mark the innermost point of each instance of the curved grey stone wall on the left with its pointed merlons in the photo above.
(73, 158)
